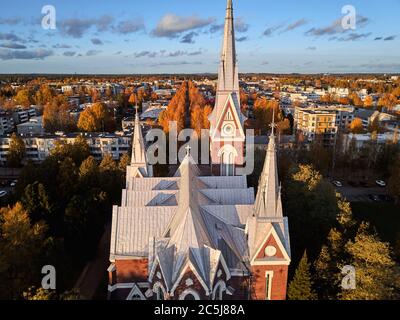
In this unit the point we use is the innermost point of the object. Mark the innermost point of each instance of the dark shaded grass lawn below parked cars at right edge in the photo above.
(385, 217)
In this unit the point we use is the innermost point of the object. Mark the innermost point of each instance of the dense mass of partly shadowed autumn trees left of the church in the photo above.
(63, 205)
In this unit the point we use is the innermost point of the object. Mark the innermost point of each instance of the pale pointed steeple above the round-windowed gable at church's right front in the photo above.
(268, 195)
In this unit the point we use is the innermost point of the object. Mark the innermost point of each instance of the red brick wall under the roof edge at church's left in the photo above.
(131, 270)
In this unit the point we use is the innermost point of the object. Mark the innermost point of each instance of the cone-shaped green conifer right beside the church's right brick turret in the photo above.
(300, 288)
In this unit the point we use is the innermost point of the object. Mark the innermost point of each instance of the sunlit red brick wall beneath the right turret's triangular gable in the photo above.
(279, 282)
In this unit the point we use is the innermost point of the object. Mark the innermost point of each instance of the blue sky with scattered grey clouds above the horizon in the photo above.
(185, 36)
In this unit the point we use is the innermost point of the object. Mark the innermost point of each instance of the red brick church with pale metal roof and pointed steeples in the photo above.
(196, 237)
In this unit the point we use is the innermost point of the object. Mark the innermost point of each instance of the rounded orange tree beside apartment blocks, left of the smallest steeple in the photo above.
(97, 118)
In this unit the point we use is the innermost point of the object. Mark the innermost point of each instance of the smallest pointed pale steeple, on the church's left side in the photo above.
(139, 166)
